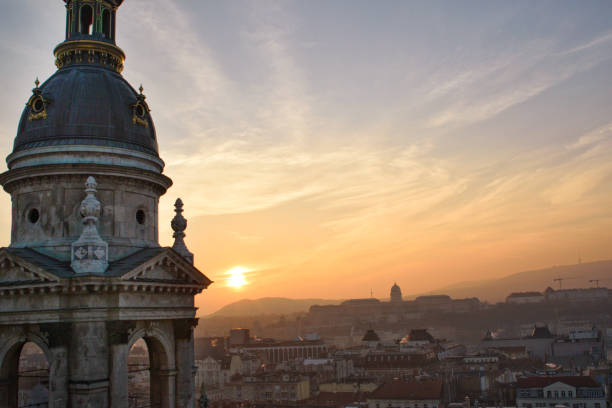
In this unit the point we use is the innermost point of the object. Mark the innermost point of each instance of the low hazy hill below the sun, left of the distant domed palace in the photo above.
(266, 306)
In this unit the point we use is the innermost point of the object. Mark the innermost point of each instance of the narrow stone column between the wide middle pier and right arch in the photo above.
(118, 365)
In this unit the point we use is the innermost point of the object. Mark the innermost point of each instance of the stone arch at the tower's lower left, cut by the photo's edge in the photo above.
(10, 352)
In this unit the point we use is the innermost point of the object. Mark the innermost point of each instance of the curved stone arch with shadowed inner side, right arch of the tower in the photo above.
(162, 370)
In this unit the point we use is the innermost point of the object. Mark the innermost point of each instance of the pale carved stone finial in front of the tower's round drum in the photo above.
(90, 252)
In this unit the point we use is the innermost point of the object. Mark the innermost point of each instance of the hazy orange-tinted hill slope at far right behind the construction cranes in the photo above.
(495, 290)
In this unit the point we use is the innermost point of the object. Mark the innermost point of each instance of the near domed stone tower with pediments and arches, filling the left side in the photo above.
(84, 276)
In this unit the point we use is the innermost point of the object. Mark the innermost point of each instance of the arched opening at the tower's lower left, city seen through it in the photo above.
(32, 377)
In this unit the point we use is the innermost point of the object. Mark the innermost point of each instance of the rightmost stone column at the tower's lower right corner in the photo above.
(184, 356)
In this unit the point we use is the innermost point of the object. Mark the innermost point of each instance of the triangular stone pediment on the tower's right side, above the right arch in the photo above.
(167, 267)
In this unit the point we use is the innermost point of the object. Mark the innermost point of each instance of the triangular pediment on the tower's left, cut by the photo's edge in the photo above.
(15, 270)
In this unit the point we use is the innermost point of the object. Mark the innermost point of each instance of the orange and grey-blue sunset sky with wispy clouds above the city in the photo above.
(329, 148)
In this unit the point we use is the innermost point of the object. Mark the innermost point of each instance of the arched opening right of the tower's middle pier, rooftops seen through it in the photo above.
(139, 375)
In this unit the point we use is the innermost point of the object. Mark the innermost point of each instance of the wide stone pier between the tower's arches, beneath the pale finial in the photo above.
(89, 356)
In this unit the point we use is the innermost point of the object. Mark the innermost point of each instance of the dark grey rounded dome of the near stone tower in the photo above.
(88, 105)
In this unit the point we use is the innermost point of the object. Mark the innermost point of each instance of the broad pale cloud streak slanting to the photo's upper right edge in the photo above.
(482, 92)
